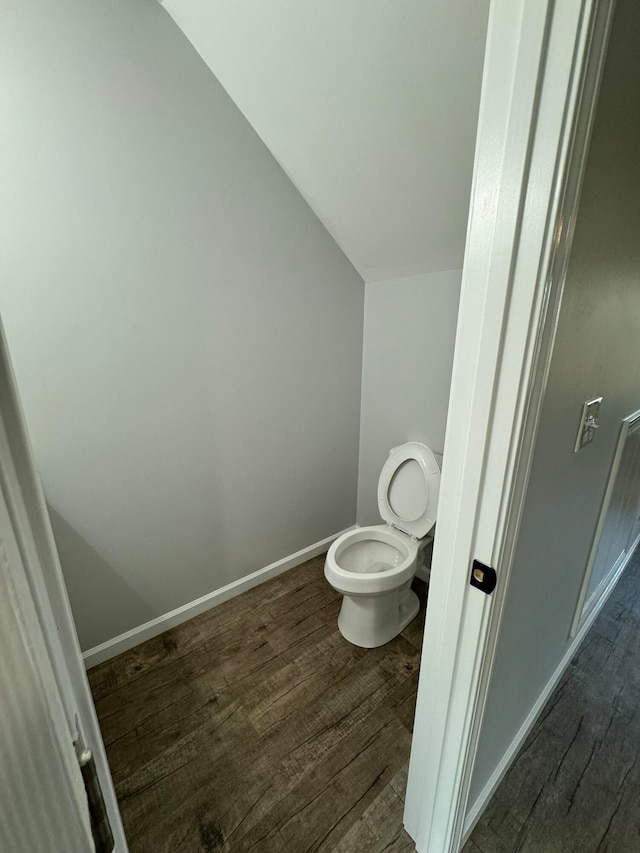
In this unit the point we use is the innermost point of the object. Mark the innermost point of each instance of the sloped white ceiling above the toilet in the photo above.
(370, 106)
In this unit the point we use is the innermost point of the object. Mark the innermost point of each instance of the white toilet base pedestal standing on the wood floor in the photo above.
(370, 621)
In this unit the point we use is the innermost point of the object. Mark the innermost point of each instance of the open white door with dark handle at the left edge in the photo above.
(54, 777)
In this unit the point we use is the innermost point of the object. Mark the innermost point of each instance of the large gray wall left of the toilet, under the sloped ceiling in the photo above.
(187, 337)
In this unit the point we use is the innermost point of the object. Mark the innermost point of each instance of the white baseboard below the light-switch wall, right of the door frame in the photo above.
(474, 813)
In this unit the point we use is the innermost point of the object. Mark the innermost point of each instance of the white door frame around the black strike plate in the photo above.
(543, 65)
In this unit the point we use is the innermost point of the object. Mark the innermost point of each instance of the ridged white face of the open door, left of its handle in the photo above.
(43, 800)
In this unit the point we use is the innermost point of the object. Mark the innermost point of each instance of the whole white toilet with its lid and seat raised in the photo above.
(372, 567)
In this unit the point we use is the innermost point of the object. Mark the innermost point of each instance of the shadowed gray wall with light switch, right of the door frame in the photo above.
(597, 352)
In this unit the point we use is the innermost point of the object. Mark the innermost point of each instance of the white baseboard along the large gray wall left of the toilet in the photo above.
(126, 641)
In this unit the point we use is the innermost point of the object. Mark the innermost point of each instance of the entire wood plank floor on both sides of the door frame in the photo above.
(256, 726)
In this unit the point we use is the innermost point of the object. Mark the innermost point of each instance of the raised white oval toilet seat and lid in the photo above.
(408, 489)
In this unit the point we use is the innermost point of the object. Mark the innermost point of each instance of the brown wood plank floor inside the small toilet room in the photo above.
(256, 726)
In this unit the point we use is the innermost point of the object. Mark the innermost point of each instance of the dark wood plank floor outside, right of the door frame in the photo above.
(575, 785)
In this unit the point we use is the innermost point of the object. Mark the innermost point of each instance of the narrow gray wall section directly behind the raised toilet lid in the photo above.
(409, 335)
